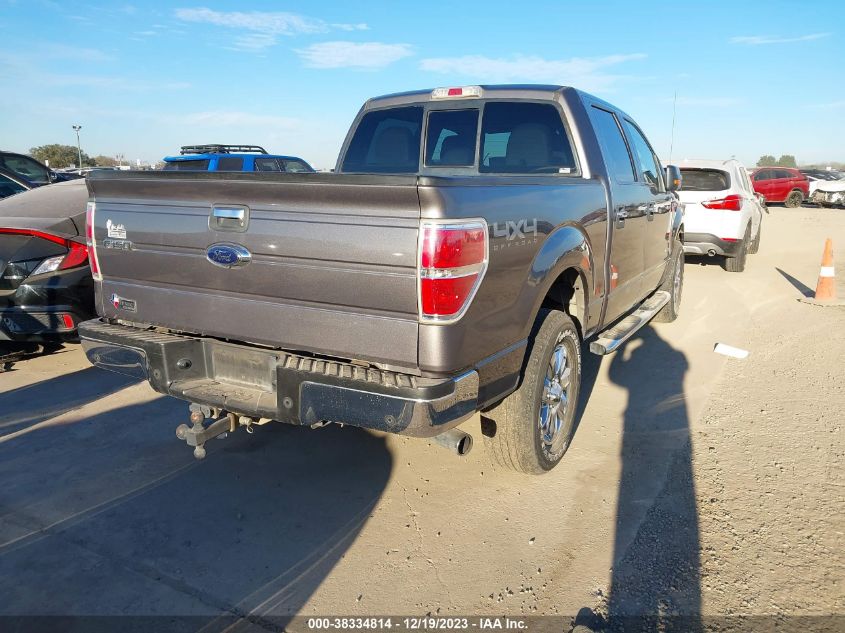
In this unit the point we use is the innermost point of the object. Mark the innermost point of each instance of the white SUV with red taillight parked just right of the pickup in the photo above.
(723, 214)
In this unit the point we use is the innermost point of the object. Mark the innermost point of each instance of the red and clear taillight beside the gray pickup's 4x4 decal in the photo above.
(453, 259)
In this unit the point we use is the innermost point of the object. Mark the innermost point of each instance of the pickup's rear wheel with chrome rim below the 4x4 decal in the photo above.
(526, 432)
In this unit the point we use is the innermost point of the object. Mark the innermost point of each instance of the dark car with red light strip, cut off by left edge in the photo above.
(45, 282)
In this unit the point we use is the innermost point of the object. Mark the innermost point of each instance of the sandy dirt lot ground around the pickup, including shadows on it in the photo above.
(696, 485)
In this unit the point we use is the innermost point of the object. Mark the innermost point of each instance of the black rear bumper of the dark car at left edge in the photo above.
(34, 311)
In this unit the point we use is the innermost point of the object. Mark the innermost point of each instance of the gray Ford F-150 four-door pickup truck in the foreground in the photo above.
(470, 241)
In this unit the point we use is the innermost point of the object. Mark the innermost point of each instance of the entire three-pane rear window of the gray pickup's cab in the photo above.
(515, 138)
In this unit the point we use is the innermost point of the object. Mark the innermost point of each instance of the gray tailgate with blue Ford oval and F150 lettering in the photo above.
(332, 266)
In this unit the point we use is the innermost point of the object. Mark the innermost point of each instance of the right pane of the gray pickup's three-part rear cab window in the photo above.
(524, 138)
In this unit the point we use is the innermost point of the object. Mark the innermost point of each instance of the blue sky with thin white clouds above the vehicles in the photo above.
(146, 77)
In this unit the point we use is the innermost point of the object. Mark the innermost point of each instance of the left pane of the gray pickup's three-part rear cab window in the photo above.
(386, 142)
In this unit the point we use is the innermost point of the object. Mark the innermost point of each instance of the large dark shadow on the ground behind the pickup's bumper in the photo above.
(138, 527)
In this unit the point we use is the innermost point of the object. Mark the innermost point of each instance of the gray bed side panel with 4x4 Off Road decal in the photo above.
(538, 228)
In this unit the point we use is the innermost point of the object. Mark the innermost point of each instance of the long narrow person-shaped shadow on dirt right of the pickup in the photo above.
(655, 581)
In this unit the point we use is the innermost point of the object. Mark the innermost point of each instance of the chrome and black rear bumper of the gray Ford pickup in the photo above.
(280, 385)
